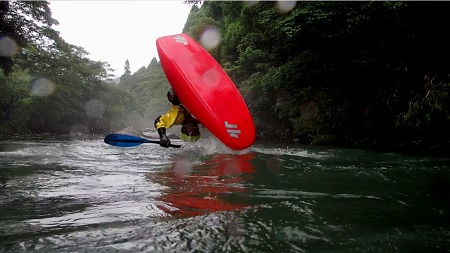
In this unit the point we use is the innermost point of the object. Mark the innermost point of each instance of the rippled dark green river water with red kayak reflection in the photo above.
(88, 196)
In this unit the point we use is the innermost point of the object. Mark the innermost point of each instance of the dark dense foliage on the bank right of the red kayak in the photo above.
(367, 74)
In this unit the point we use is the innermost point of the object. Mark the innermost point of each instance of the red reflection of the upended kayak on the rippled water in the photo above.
(215, 185)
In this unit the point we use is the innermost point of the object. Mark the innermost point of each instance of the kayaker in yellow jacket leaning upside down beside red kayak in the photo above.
(177, 115)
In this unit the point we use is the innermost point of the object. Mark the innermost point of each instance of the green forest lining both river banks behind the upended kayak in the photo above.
(363, 74)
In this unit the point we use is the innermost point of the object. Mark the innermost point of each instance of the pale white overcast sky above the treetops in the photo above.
(114, 31)
